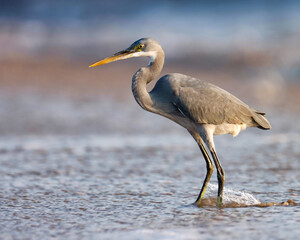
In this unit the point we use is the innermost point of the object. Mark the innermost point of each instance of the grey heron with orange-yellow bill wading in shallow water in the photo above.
(200, 107)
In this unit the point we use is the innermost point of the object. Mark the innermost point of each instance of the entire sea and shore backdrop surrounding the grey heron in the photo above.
(81, 160)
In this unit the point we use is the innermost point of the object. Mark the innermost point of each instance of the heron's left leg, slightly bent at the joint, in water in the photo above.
(209, 167)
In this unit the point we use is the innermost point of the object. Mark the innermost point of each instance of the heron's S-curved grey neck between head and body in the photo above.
(144, 76)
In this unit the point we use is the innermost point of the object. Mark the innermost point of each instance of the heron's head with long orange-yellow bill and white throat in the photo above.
(144, 47)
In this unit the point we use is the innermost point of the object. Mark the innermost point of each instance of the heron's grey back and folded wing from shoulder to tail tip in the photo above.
(205, 103)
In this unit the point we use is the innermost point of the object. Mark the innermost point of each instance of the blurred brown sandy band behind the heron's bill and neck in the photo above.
(255, 82)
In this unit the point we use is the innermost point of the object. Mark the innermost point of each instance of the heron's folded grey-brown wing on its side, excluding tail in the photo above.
(206, 103)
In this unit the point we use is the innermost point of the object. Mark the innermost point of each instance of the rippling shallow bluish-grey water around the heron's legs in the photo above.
(137, 181)
